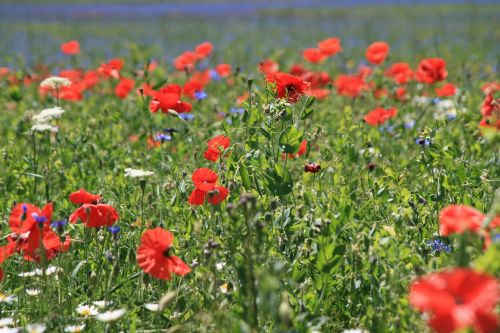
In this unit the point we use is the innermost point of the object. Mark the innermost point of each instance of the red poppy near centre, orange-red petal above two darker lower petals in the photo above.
(206, 188)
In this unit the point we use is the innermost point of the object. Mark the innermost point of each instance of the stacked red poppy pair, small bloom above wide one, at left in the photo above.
(91, 213)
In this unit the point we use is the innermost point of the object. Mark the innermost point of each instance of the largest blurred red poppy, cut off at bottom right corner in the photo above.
(456, 300)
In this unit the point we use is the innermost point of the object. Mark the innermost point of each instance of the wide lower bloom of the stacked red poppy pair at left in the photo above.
(94, 216)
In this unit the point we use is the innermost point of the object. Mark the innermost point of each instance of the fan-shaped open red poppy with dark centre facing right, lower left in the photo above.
(154, 258)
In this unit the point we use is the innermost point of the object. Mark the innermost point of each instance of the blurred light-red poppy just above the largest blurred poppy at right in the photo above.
(456, 219)
